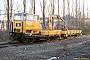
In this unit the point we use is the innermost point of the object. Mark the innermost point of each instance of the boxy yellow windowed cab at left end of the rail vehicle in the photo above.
(25, 26)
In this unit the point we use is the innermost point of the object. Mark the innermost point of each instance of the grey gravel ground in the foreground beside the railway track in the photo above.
(59, 50)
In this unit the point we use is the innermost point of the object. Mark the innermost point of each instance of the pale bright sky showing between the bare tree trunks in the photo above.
(18, 6)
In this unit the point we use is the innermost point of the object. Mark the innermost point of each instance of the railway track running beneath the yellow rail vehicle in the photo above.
(3, 45)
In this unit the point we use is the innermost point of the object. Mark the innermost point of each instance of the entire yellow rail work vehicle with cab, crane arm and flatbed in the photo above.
(27, 28)
